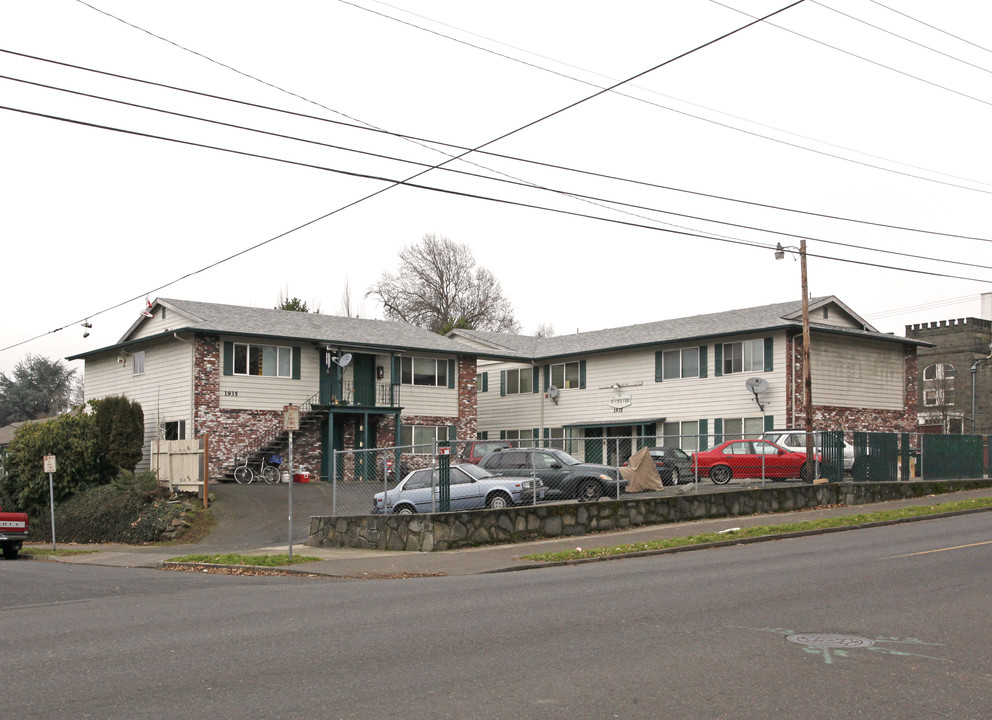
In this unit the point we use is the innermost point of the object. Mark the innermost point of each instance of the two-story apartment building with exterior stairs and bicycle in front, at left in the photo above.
(228, 371)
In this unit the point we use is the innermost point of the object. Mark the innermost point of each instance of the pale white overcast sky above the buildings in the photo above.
(871, 111)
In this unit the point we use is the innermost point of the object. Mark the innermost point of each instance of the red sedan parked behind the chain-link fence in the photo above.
(751, 459)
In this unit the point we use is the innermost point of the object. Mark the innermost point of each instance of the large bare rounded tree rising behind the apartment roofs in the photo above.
(438, 287)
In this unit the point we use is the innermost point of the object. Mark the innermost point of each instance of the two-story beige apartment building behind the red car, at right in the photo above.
(684, 381)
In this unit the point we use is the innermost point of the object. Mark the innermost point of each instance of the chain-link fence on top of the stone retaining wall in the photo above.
(591, 468)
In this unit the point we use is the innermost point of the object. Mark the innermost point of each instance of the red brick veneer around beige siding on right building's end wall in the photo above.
(848, 418)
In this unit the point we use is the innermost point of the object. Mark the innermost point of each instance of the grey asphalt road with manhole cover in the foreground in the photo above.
(884, 623)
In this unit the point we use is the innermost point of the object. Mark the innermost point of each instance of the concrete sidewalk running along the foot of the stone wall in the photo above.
(352, 563)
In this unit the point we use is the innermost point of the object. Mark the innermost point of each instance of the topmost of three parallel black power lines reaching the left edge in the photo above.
(366, 128)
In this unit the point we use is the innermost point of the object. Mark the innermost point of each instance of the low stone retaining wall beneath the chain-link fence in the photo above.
(452, 530)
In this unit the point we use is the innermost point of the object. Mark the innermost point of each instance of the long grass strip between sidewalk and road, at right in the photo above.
(764, 530)
